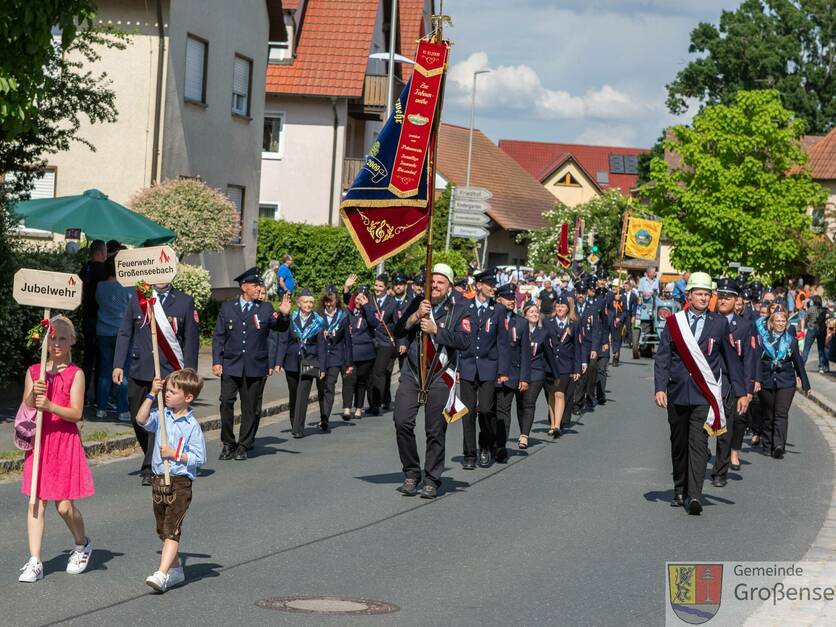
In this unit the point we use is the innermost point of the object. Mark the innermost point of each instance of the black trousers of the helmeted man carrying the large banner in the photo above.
(435, 427)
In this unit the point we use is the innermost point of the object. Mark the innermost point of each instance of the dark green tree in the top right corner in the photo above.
(786, 45)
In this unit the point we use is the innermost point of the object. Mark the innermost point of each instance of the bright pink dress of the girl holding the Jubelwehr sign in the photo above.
(64, 472)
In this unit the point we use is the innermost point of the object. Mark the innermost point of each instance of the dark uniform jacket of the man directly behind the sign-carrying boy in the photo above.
(134, 335)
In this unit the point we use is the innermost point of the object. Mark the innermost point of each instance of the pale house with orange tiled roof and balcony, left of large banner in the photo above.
(325, 100)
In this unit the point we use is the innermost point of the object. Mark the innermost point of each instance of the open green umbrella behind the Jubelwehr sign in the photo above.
(96, 215)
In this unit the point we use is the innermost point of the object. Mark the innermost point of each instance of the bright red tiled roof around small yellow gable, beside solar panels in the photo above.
(540, 159)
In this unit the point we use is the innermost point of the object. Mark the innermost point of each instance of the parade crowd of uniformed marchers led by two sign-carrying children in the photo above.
(471, 349)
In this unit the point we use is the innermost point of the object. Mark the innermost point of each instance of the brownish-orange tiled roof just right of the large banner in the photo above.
(519, 200)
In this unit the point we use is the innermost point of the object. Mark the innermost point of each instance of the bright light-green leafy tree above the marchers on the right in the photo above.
(742, 193)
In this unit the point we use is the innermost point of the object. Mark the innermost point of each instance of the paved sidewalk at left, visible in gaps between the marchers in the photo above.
(104, 435)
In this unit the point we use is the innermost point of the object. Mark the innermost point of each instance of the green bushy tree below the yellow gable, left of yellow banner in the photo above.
(604, 215)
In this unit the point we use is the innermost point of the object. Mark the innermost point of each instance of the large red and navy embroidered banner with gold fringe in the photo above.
(387, 207)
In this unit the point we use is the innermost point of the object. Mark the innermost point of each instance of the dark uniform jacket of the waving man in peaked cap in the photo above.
(241, 340)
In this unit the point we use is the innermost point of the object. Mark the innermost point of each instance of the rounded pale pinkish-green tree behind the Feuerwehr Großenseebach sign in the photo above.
(203, 217)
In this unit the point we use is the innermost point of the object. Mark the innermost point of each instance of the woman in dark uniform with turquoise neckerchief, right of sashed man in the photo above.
(780, 363)
